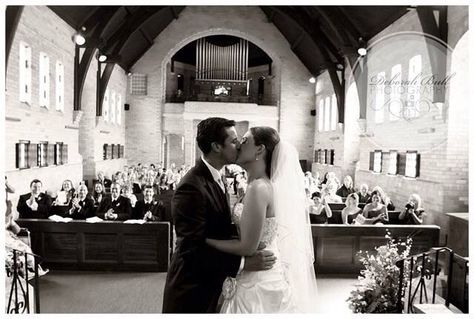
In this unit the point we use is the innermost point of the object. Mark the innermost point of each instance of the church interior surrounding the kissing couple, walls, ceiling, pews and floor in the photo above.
(379, 94)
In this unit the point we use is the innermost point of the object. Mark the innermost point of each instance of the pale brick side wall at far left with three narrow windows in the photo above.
(44, 32)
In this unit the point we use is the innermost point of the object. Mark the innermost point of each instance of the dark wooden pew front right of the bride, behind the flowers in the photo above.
(336, 246)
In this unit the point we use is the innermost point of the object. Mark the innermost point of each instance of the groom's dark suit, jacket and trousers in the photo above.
(200, 210)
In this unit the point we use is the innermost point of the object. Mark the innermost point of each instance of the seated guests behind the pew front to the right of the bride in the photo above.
(361, 206)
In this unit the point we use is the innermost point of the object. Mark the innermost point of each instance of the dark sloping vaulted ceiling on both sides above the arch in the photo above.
(319, 35)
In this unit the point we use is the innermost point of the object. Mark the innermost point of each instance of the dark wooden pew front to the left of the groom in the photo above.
(107, 245)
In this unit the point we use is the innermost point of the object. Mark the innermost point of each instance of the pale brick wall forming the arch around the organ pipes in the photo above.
(296, 93)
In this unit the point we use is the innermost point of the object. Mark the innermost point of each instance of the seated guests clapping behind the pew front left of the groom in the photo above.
(130, 194)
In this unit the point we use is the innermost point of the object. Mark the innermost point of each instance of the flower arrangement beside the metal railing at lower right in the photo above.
(377, 290)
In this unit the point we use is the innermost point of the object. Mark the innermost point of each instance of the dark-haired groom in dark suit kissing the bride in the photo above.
(200, 210)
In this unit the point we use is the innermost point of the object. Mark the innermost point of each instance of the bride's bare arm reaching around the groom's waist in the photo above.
(253, 216)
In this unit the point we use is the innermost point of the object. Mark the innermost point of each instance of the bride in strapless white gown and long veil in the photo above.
(273, 213)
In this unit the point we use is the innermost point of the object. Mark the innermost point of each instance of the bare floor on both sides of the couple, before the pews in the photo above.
(123, 292)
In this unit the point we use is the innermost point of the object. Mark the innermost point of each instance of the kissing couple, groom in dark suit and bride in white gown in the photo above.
(267, 265)
